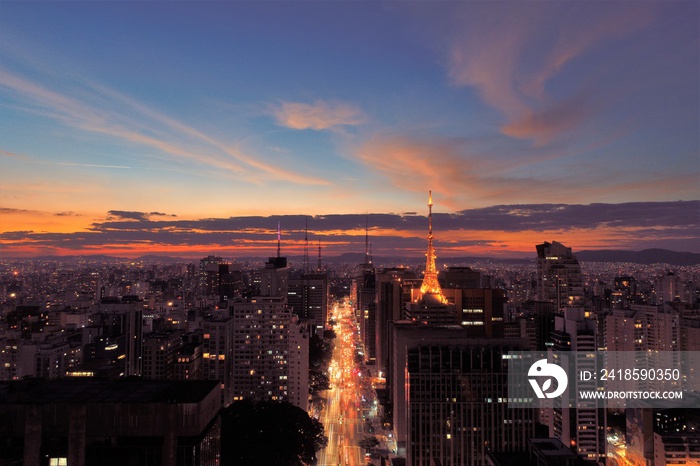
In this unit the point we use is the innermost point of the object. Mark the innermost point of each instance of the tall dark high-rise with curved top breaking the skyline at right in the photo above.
(558, 276)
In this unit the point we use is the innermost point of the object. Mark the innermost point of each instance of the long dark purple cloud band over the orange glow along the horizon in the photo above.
(637, 225)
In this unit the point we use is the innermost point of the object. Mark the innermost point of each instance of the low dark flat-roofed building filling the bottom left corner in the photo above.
(85, 422)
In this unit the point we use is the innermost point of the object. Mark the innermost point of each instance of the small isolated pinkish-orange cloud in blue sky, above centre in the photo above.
(319, 115)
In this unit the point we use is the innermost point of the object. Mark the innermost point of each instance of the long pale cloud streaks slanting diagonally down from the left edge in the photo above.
(98, 109)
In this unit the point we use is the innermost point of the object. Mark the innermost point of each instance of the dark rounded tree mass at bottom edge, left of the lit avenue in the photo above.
(269, 432)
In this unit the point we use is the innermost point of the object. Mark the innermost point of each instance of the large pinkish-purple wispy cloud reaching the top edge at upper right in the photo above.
(512, 59)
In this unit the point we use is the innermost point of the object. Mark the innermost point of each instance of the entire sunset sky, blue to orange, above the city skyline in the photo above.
(189, 128)
